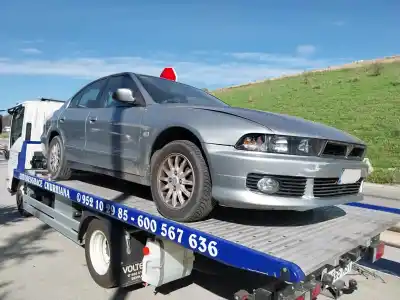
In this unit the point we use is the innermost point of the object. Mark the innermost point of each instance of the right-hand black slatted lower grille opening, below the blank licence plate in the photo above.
(328, 187)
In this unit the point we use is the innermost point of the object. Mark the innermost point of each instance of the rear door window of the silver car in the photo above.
(89, 97)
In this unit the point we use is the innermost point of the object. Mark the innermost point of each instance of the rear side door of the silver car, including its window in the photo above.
(72, 121)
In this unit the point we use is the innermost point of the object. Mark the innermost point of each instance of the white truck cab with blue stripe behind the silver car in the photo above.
(27, 121)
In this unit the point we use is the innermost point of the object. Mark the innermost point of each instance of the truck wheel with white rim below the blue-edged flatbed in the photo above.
(102, 256)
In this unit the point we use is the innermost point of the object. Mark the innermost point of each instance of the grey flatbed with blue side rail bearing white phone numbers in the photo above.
(289, 246)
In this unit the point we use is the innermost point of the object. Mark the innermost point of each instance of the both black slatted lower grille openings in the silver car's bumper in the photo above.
(293, 186)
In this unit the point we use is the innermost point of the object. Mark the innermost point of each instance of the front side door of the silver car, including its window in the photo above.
(113, 131)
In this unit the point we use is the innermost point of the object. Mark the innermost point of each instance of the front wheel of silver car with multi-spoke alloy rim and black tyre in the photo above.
(181, 183)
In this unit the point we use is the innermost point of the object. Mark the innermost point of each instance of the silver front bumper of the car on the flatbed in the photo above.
(305, 182)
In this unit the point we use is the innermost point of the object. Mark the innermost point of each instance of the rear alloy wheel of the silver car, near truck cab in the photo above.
(57, 163)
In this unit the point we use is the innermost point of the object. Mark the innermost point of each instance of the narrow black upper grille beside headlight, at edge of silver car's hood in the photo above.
(343, 150)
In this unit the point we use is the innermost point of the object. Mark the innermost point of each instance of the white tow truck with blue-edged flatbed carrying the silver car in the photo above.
(127, 242)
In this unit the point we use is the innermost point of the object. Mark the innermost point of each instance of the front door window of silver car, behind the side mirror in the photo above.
(117, 82)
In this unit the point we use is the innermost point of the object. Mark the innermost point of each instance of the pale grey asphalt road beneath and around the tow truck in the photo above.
(38, 263)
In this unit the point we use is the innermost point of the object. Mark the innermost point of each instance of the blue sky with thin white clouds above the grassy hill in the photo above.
(51, 48)
